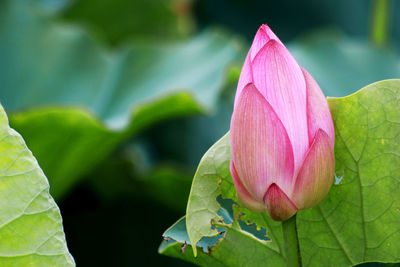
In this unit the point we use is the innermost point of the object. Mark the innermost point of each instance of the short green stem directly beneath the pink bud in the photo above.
(291, 242)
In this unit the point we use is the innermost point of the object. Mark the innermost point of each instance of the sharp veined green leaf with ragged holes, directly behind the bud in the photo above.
(356, 223)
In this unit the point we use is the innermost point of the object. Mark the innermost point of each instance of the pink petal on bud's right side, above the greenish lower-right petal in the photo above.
(318, 113)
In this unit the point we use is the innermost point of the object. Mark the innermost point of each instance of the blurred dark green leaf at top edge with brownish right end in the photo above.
(116, 21)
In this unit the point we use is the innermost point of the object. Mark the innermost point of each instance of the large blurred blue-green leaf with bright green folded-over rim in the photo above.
(106, 96)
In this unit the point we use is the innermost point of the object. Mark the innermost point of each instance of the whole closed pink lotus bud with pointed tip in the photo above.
(282, 134)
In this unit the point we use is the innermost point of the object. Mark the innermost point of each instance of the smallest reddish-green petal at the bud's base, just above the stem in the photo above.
(278, 205)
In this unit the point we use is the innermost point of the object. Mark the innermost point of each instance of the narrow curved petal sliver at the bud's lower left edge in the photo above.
(244, 196)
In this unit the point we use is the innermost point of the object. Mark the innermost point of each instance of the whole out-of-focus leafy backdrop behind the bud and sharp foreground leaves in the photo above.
(119, 100)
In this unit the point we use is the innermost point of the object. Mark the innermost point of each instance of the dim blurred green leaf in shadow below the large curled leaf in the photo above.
(125, 174)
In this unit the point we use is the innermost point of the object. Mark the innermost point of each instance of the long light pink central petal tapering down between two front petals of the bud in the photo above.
(279, 79)
